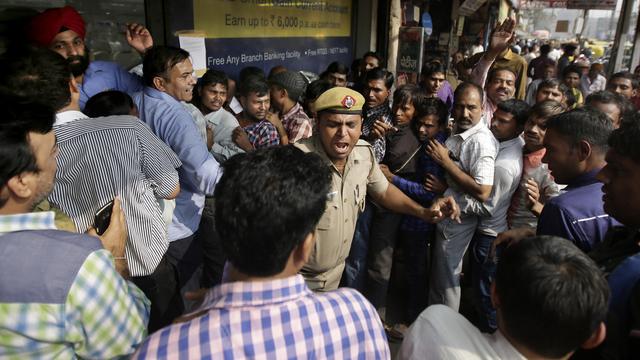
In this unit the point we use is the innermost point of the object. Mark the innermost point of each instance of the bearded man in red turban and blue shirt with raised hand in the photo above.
(63, 31)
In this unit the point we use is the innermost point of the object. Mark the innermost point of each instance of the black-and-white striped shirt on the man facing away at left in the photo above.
(102, 158)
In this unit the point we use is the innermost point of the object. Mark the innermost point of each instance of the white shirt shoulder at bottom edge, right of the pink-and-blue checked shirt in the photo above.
(443, 334)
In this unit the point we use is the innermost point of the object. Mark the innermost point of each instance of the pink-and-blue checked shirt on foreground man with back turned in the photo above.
(278, 319)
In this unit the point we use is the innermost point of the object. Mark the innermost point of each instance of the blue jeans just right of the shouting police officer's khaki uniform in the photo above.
(355, 267)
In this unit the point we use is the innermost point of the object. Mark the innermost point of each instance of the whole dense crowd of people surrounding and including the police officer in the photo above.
(262, 216)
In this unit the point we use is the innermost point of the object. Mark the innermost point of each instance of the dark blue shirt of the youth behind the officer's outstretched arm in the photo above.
(416, 191)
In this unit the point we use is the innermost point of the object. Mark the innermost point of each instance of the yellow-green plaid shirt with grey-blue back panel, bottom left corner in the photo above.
(101, 315)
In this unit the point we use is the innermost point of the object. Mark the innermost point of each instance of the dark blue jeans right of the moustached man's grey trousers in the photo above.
(483, 271)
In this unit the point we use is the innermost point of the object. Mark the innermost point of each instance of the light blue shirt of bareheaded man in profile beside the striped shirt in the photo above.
(199, 172)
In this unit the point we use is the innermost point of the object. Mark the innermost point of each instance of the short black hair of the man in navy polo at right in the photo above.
(584, 123)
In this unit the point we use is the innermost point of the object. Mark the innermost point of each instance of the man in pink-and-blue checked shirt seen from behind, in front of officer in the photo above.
(267, 311)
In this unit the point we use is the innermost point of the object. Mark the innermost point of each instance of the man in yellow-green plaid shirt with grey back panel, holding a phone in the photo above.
(61, 294)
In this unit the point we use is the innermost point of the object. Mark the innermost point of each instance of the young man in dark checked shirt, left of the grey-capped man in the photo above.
(255, 130)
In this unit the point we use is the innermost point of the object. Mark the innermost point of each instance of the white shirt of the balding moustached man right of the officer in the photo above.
(476, 150)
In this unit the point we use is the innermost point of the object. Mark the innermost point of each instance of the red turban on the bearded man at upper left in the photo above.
(46, 25)
